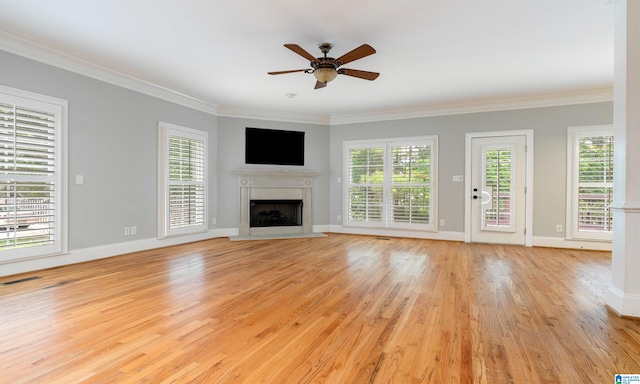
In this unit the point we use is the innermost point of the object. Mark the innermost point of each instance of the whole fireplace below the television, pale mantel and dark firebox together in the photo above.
(270, 187)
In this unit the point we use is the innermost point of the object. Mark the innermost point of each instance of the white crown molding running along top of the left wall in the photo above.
(36, 50)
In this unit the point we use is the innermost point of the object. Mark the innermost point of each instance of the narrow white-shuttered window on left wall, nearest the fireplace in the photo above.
(183, 193)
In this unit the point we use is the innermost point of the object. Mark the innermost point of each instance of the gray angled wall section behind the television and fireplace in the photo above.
(231, 156)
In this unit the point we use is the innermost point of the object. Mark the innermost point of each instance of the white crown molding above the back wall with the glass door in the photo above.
(476, 106)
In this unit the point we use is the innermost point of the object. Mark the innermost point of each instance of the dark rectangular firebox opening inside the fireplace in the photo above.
(275, 213)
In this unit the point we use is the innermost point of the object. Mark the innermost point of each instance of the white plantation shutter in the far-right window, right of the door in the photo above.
(595, 184)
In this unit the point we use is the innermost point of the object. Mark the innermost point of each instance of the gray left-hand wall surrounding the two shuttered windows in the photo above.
(113, 144)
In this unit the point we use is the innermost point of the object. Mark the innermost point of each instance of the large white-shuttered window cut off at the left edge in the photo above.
(32, 134)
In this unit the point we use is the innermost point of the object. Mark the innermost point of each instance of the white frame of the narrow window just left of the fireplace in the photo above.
(165, 130)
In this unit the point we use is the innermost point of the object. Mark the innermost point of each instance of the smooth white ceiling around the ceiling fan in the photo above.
(429, 52)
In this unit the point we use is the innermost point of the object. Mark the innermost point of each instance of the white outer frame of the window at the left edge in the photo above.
(59, 108)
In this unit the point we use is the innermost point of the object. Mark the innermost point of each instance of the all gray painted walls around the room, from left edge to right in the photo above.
(113, 140)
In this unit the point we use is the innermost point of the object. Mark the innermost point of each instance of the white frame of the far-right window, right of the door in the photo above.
(573, 139)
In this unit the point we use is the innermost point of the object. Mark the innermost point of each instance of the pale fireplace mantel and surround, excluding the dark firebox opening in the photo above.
(264, 184)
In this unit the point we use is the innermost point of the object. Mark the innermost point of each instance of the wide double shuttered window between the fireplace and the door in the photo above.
(390, 183)
